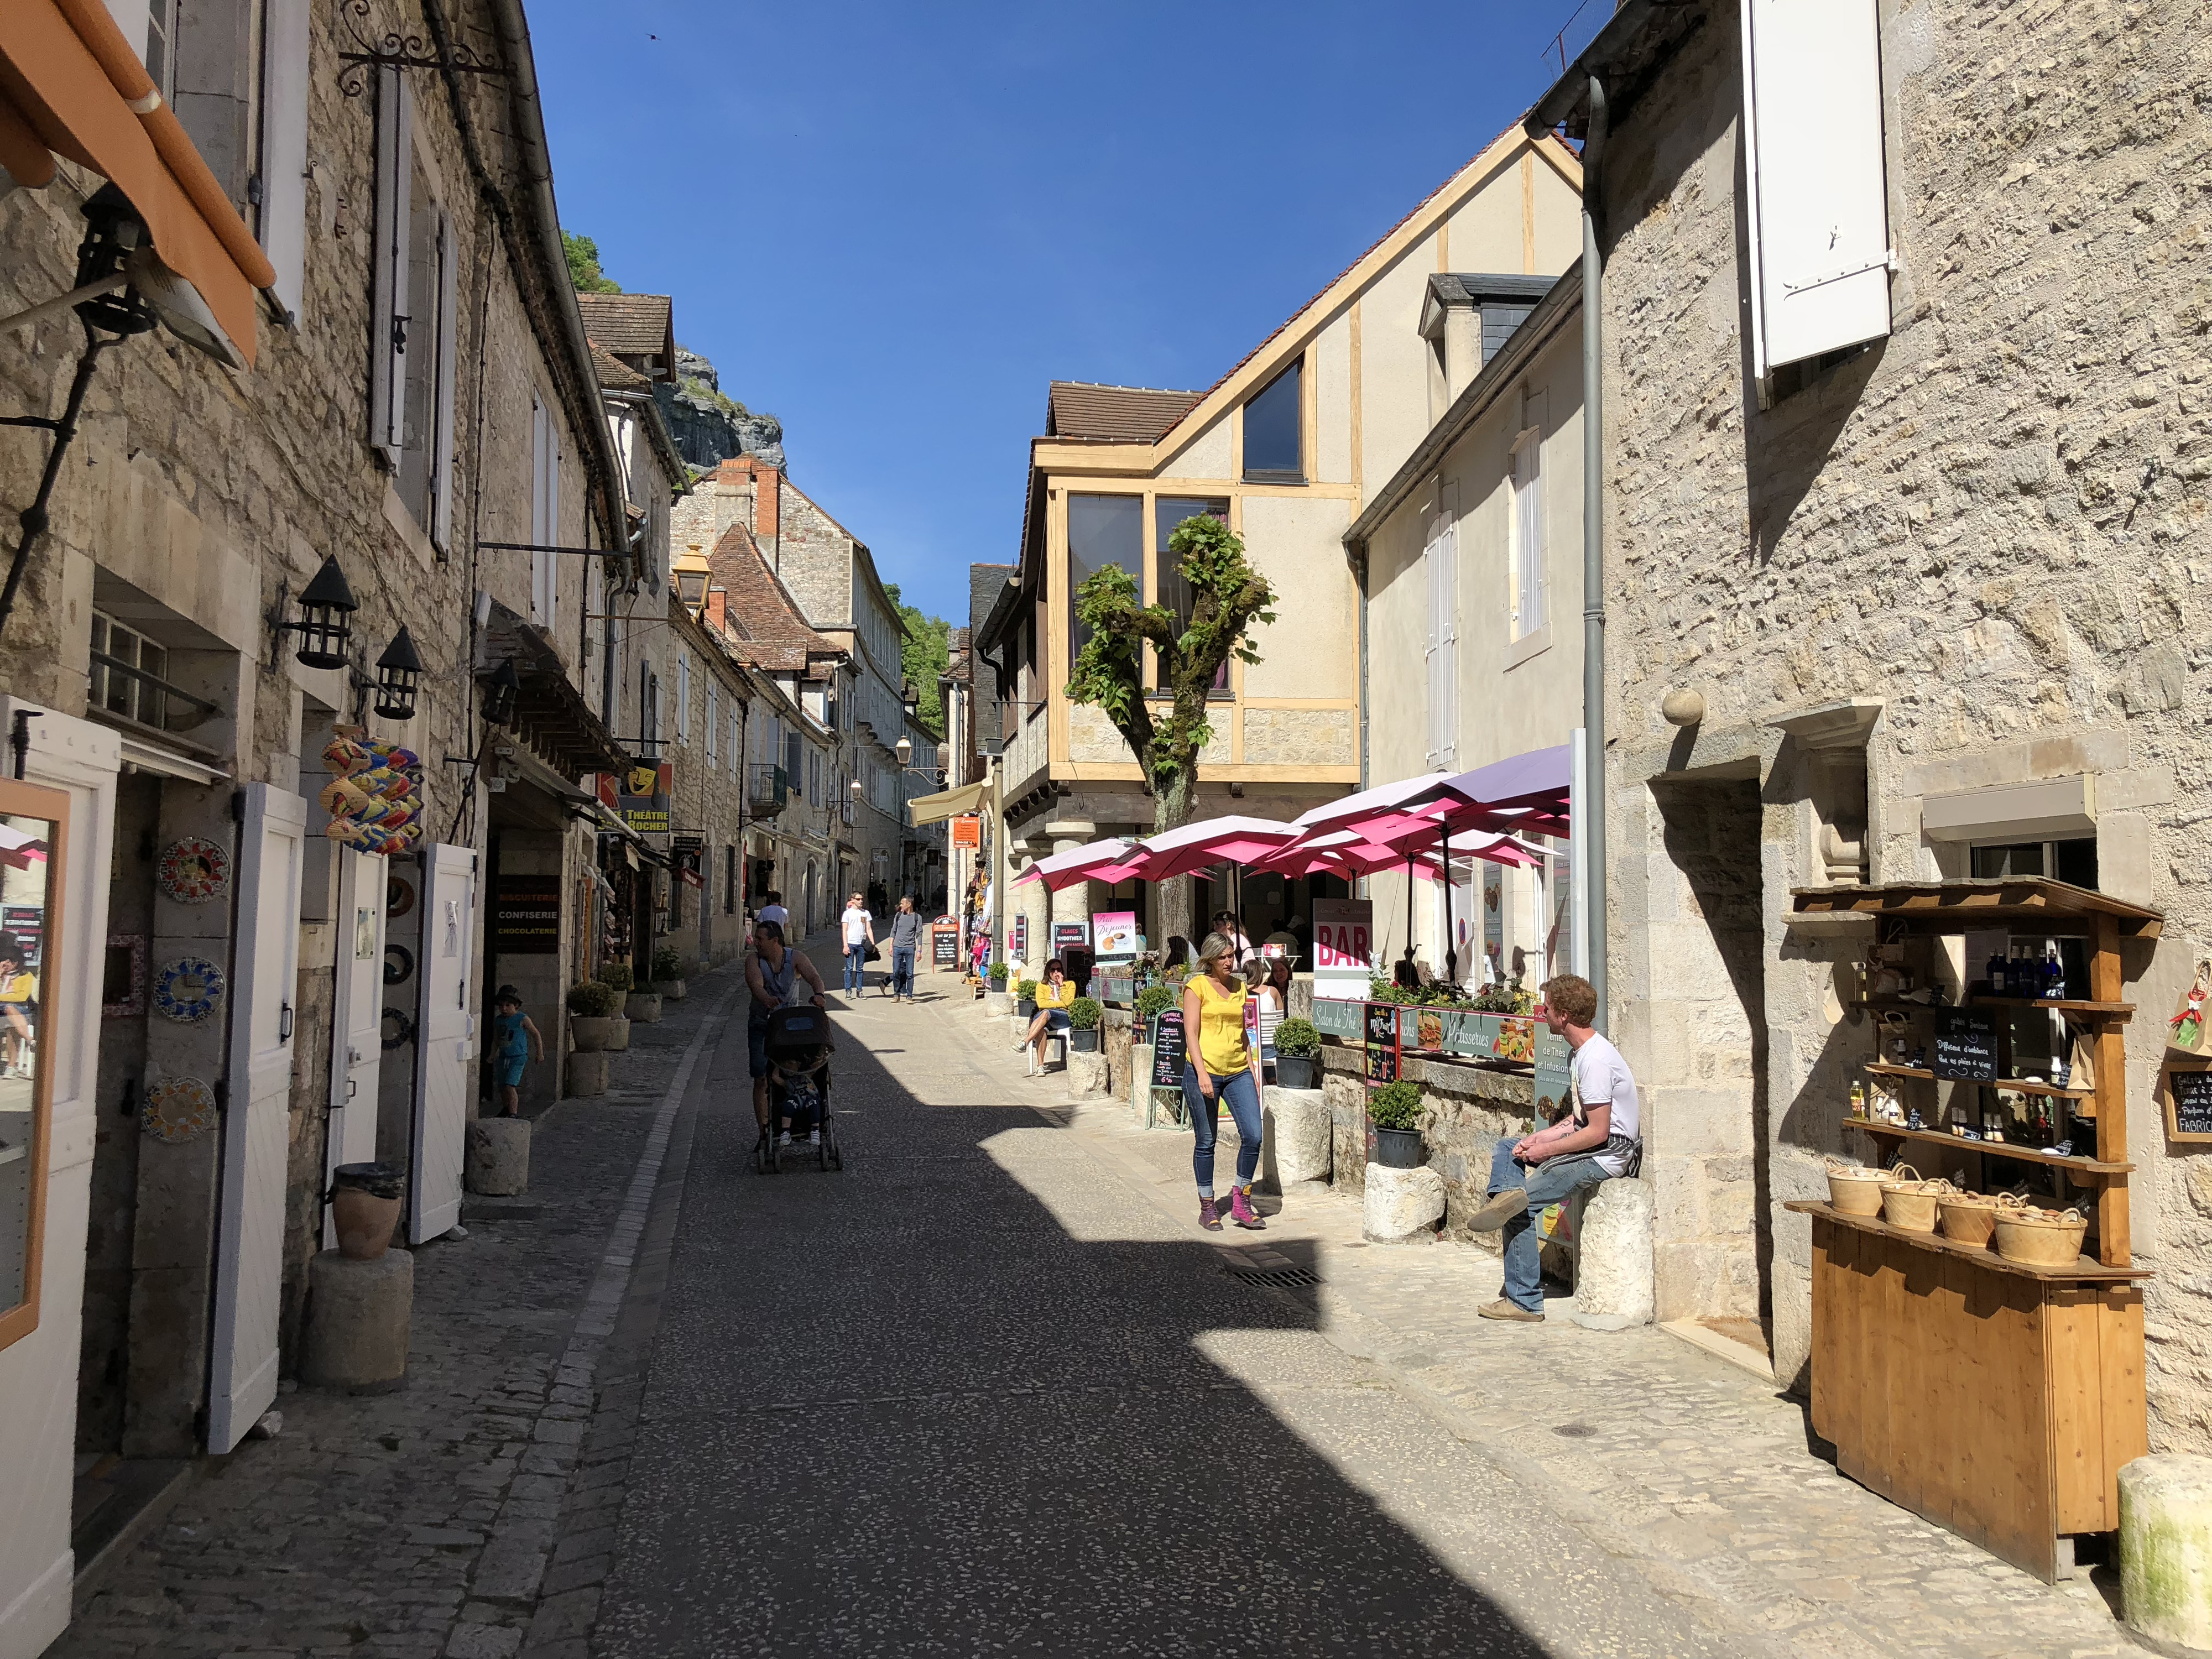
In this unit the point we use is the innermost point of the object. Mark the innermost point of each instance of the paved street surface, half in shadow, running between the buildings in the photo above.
(992, 1390)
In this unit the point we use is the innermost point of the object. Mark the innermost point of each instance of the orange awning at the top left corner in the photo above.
(72, 85)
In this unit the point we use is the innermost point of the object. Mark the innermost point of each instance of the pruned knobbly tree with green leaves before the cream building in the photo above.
(1227, 598)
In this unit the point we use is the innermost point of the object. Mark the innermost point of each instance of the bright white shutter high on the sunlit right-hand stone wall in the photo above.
(1819, 225)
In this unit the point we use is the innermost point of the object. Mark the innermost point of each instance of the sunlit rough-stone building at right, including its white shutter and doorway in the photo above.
(1906, 510)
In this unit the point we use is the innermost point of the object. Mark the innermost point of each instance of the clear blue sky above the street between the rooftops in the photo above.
(893, 225)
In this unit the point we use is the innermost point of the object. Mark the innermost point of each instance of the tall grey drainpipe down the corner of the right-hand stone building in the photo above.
(1594, 547)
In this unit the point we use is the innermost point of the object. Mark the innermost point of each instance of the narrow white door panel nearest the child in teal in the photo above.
(446, 1043)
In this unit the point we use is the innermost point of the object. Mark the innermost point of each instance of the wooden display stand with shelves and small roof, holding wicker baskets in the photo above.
(1990, 1397)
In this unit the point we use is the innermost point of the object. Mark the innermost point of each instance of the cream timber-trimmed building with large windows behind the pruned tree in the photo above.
(1286, 448)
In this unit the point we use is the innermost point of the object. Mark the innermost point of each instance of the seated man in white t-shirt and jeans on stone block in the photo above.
(1600, 1138)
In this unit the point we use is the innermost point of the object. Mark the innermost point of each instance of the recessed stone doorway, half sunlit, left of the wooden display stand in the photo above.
(1709, 1134)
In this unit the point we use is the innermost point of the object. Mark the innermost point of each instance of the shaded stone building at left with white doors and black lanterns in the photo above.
(371, 366)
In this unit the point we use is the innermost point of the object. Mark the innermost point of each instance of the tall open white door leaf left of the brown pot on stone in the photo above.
(249, 1242)
